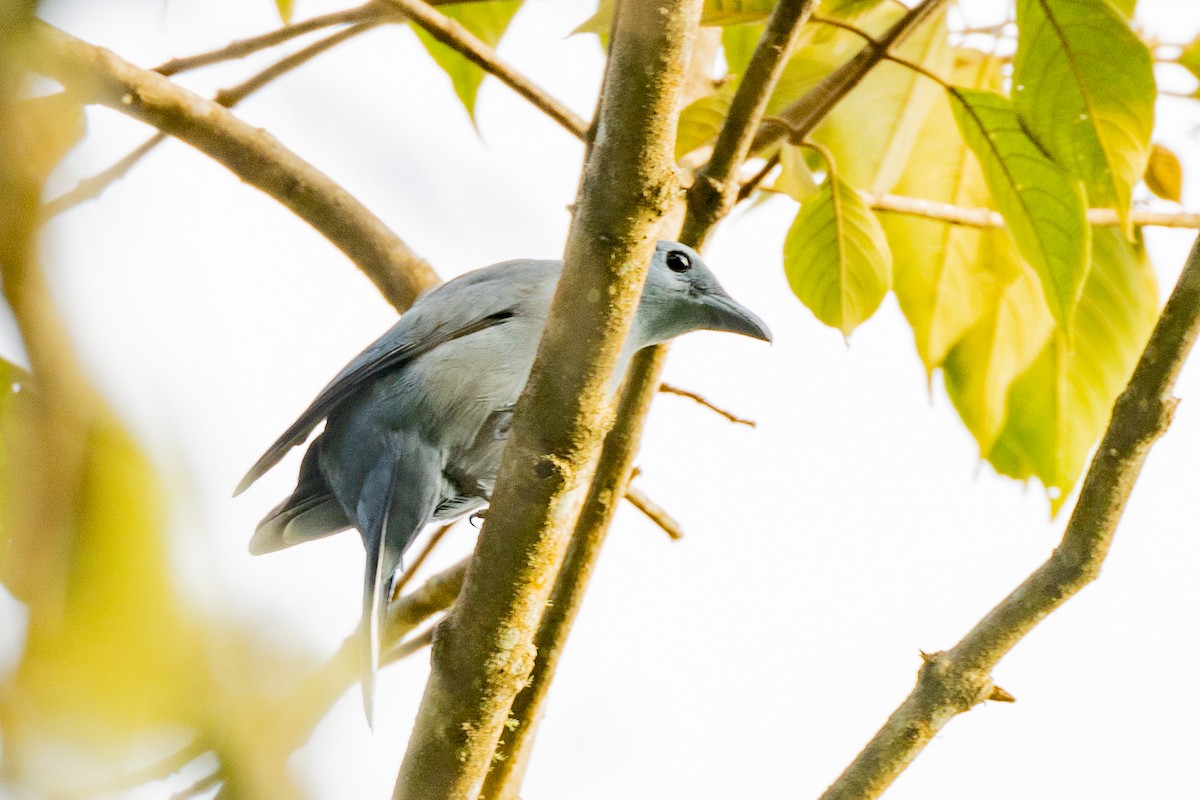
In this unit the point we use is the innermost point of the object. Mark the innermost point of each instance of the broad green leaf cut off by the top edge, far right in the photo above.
(1084, 88)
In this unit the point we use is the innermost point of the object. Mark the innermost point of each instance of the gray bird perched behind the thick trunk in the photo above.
(416, 424)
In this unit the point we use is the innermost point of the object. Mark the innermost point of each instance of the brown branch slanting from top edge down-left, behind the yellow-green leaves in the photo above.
(802, 117)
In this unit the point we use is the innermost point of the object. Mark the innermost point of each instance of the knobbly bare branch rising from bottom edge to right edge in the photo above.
(955, 682)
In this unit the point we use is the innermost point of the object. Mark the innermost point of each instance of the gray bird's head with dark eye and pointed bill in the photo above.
(683, 296)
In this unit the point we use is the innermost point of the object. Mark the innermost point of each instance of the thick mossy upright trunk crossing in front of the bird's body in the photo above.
(484, 652)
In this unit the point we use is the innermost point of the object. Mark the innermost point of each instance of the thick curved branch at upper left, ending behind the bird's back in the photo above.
(99, 76)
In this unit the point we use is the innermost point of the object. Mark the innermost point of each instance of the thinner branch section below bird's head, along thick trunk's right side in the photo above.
(604, 496)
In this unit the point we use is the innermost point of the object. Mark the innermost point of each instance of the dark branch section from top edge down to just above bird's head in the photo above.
(715, 193)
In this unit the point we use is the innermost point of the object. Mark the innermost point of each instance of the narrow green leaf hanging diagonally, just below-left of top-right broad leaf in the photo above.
(1042, 206)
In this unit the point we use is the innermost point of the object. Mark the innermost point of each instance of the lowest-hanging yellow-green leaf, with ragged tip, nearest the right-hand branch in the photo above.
(1061, 405)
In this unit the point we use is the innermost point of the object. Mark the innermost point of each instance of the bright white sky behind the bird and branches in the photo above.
(855, 527)
